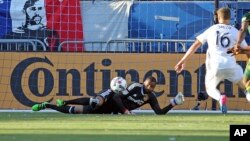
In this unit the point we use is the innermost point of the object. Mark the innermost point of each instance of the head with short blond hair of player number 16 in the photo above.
(224, 15)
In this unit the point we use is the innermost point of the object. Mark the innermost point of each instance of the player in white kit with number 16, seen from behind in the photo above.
(219, 64)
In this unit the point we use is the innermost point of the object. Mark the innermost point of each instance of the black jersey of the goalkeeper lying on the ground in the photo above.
(135, 96)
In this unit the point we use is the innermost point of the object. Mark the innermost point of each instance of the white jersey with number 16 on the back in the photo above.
(220, 38)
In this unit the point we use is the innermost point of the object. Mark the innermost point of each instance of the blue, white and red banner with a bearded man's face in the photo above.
(50, 21)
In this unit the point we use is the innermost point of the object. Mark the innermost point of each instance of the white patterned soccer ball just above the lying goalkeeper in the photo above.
(118, 84)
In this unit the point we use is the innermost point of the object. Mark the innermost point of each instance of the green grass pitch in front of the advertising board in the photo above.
(41, 126)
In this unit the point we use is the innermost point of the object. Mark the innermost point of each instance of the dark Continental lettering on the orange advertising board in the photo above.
(97, 73)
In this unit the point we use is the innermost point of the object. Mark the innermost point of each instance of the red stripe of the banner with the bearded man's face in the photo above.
(64, 17)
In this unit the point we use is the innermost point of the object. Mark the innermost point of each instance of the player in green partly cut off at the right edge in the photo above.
(245, 24)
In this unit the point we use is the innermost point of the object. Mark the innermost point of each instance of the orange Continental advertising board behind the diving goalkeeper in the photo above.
(28, 78)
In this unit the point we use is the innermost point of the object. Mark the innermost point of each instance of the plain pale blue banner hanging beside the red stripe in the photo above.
(102, 27)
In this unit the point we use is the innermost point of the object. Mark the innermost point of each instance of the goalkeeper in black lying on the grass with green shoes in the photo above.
(135, 96)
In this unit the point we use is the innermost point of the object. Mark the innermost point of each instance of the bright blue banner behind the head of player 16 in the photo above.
(177, 19)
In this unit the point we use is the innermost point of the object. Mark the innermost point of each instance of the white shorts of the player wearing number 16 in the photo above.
(214, 77)
